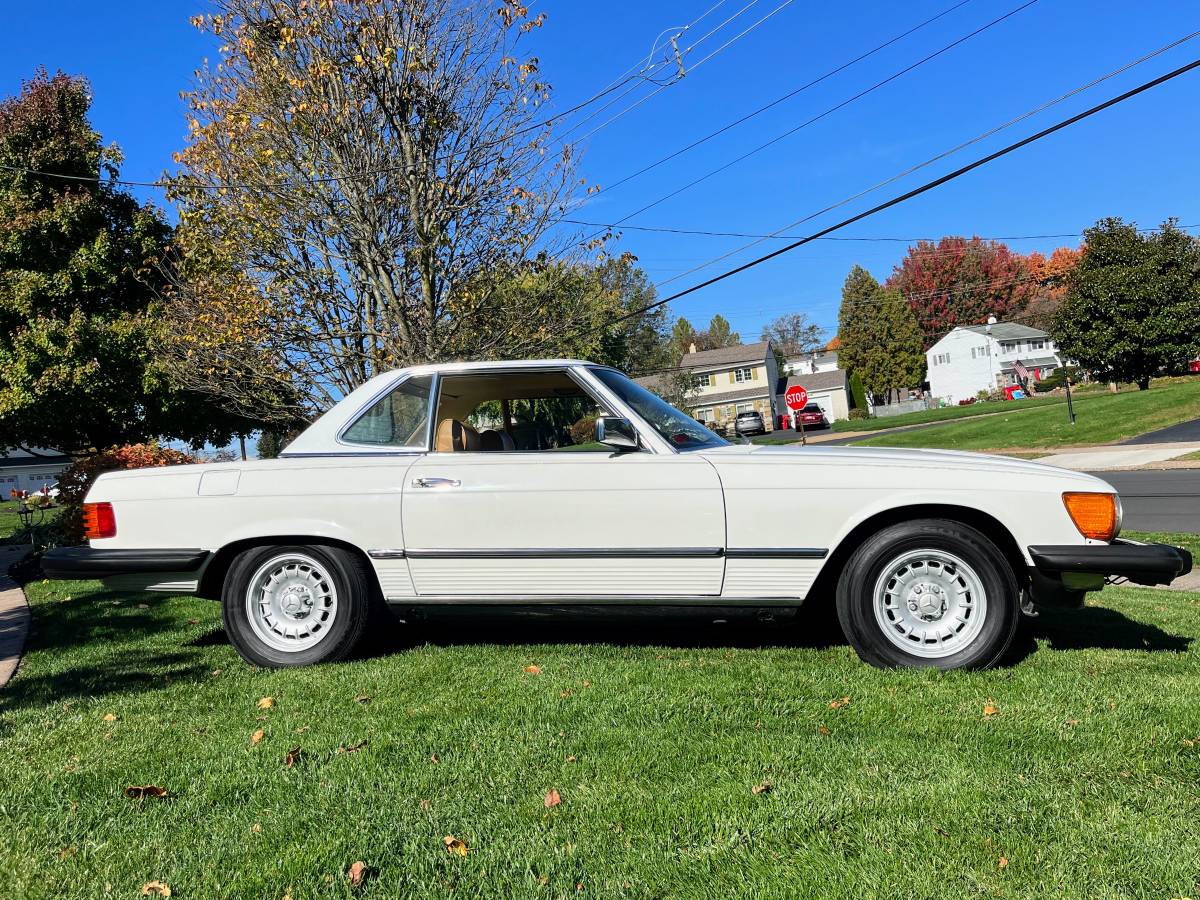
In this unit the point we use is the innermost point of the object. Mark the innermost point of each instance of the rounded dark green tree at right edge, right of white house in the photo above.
(1132, 308)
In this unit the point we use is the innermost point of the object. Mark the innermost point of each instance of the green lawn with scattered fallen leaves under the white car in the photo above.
(1084, 783)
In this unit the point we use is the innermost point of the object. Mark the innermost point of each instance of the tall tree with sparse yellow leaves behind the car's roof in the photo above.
(363, 184)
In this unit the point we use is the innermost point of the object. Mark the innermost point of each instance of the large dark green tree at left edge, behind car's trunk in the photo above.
(80, 275)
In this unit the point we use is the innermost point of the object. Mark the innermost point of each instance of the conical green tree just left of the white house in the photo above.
(881, 341)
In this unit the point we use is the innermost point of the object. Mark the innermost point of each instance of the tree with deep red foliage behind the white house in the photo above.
(962, 281)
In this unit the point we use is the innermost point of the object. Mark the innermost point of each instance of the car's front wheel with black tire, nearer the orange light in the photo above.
(931, 593)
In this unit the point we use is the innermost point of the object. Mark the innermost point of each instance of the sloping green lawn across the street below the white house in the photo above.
(1101, 419)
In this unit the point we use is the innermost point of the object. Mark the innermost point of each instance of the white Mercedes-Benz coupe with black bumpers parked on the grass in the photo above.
(565, 485)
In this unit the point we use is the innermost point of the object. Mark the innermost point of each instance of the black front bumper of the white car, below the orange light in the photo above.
(1063, 574)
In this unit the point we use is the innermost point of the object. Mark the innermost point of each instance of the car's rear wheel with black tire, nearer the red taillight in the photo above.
(297, 605)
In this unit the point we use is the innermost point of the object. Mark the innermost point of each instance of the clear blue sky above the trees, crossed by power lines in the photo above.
(1137, 161)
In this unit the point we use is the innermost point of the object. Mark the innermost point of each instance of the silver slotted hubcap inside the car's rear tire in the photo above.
(291, 603)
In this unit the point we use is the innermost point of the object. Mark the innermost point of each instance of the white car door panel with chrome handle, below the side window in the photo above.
(556, 524)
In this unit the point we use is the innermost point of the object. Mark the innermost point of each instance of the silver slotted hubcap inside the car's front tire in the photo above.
(931, 603)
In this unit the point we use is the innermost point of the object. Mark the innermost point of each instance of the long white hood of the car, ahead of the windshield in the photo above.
(881, 457)
